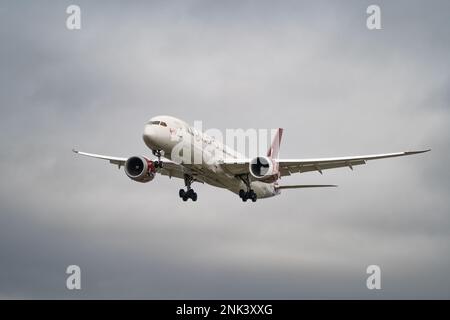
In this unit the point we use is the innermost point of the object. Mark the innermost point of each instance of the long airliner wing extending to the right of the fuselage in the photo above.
(290, 166)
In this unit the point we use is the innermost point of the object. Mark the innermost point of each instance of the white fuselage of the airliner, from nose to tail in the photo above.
(166, 133)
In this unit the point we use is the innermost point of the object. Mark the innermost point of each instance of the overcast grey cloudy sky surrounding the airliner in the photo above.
(311, 67)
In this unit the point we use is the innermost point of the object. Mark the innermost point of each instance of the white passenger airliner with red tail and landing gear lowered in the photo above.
(250, 179)
